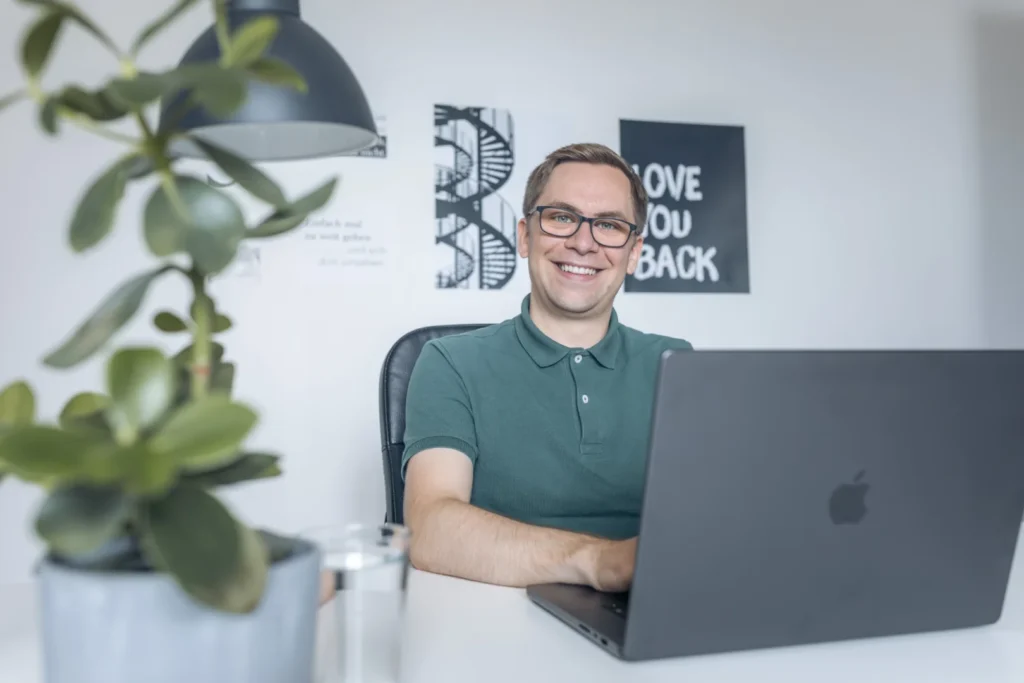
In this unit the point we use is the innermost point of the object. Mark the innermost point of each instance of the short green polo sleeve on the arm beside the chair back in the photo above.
(439, 414)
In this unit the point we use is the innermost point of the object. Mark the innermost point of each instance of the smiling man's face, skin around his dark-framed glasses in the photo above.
(590, 190)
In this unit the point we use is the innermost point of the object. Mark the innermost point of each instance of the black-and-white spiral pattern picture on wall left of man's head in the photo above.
(475, 225)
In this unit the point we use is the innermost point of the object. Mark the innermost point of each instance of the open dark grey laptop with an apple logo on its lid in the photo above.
(795, 498)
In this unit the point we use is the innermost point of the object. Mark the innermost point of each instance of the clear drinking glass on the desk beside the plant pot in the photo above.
(363, 621)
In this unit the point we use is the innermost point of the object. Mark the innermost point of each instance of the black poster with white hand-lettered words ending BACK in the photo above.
(696, 178)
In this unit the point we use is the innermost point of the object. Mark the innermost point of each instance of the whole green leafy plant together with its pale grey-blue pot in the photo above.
(147, 575)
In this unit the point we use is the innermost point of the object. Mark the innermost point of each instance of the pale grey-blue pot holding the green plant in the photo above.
(140, 627)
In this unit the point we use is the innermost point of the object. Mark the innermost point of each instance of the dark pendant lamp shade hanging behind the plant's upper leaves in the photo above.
(279, 123)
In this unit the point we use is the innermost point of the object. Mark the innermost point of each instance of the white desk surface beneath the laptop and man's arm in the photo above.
(465, 632)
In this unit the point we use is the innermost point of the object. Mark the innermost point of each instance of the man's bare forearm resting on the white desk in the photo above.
(458, 539)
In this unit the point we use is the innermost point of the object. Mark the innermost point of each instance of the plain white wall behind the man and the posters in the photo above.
(885, 144)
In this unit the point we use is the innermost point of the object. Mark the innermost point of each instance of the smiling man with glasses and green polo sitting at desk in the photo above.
(527, 442)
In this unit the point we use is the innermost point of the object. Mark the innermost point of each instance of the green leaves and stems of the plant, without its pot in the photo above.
(129, 471)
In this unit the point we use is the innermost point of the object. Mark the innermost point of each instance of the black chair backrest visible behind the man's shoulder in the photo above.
(395, 386)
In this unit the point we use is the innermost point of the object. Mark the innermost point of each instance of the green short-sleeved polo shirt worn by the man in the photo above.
(558, 436)
